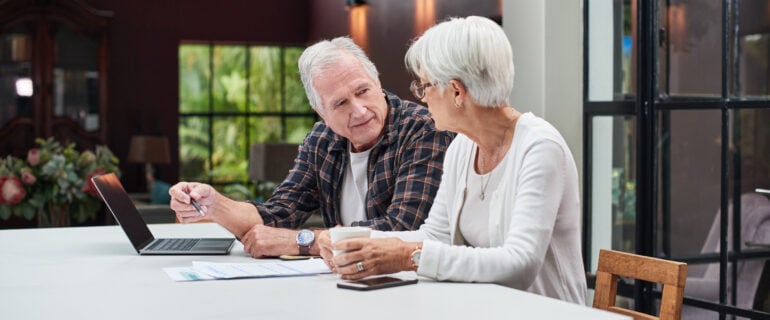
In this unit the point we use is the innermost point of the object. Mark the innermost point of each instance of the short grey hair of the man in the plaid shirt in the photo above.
(318, 57)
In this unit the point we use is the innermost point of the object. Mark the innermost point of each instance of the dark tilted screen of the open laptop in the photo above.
(123, 209)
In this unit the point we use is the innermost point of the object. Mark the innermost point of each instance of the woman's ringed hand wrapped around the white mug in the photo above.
(364, 257)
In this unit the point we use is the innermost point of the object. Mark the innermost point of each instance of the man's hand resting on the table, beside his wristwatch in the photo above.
(263, 241)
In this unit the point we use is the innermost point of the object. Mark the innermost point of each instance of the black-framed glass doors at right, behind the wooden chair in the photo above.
(674, 139)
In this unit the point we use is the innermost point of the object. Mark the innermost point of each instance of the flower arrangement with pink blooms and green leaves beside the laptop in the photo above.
(53, 183)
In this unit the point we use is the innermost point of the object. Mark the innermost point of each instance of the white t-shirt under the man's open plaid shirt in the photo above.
(354, 186)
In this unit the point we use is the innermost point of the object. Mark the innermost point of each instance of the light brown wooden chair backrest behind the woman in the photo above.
(671, 274)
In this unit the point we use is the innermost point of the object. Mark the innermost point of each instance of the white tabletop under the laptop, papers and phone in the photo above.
(94, 273)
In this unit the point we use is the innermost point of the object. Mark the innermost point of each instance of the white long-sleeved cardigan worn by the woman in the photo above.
(534, 219)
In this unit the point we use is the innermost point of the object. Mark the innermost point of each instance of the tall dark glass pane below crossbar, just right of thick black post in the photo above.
(689, 157)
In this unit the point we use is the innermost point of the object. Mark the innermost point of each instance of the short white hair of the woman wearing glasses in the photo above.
(472, 50)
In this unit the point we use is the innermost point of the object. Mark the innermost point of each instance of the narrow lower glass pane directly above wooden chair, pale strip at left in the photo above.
(613, 184)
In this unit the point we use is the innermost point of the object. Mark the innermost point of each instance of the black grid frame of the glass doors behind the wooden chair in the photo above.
(645, 106)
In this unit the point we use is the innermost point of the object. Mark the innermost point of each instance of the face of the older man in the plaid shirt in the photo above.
(353, 104)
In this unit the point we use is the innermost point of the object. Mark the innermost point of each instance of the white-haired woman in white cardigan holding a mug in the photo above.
(507, 209)
